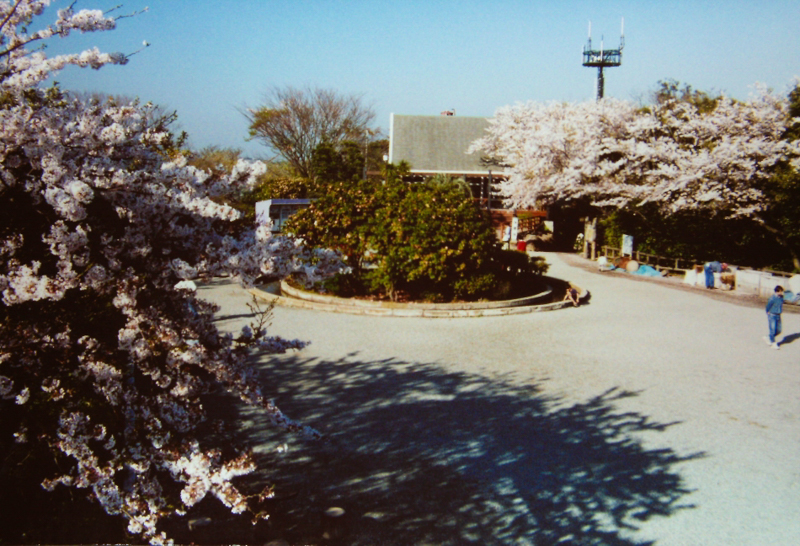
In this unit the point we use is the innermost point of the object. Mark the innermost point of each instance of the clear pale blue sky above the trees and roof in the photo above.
(209, 59)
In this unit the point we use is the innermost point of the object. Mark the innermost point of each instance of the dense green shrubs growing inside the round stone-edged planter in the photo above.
(427, 241)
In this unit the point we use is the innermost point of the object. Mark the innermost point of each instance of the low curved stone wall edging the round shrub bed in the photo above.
(289, 296)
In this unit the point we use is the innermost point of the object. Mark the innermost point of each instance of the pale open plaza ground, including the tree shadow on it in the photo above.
(654, 414)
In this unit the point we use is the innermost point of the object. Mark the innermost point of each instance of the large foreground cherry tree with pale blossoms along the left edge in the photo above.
(102, 357)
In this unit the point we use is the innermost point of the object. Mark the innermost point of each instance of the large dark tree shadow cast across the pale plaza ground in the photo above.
(417, 454)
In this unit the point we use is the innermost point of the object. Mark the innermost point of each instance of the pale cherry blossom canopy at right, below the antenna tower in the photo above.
(615, 153)
